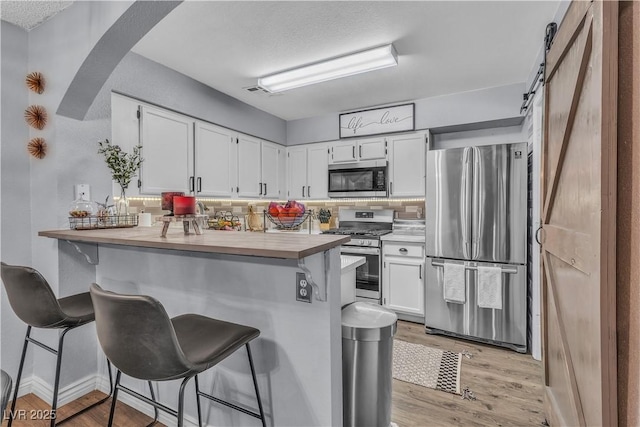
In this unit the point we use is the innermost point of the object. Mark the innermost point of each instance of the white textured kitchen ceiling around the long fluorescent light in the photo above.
(443, 47)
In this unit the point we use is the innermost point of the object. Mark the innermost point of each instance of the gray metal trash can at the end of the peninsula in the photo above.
(367, 350)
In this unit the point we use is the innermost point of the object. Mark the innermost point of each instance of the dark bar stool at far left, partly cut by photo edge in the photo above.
(33, 301)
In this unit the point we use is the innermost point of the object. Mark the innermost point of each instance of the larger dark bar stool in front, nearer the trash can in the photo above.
(141, 340)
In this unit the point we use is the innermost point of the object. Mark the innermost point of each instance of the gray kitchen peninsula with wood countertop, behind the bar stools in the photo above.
(246, 278)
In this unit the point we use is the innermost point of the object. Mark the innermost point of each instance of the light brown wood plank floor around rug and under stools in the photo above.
(507, 387)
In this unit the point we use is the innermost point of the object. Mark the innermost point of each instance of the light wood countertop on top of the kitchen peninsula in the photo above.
(270, 245)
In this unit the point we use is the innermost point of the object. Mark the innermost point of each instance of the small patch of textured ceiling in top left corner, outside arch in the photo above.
(29, 14)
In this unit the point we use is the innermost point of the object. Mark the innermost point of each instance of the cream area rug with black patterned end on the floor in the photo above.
(426, 366)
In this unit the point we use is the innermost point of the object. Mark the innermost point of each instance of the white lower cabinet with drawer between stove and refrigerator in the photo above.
(403, 277)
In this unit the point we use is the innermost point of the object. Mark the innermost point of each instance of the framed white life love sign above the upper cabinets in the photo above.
(375, 121)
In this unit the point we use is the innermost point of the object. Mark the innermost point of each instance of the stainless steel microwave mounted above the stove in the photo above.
(361, 179)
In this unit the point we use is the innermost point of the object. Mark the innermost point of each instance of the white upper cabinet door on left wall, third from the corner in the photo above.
(215, 153)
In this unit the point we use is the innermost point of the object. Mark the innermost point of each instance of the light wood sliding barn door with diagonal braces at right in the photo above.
(578, 218)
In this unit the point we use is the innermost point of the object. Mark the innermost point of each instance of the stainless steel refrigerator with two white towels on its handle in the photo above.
(476, 219)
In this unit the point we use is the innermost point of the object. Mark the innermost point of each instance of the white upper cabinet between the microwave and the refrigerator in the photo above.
(407, 158)
